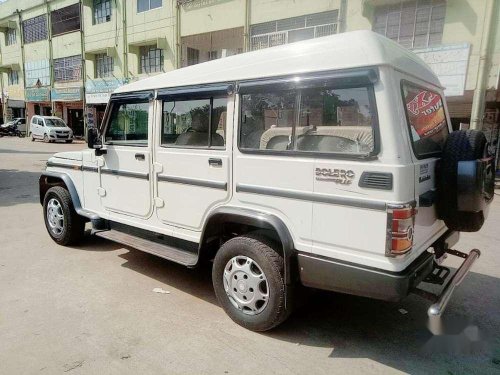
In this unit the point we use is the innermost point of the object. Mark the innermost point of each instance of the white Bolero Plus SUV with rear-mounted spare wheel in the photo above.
(328, 163)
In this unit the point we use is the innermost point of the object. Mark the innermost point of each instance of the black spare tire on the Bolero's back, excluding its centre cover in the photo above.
(460, 146)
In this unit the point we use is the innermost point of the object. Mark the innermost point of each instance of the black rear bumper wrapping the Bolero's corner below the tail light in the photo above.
(335, 275)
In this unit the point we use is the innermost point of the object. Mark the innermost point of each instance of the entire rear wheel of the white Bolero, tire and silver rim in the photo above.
(248, 280)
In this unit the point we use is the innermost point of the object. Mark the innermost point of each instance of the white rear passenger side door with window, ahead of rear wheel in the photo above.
(192, 154)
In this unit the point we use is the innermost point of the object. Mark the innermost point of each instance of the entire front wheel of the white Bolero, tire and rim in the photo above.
(64, 225)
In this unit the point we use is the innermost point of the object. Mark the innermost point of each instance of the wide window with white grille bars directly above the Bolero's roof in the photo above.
(289, 30)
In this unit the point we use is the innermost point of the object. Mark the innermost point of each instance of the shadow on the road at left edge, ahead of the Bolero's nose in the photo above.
(18, 187)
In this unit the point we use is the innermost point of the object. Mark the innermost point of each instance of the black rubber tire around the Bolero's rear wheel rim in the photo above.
(264, 252)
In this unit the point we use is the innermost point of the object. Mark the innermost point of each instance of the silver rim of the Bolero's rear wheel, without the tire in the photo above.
(246, 285)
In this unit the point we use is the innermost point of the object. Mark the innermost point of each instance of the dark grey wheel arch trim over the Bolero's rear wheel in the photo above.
(214, 228)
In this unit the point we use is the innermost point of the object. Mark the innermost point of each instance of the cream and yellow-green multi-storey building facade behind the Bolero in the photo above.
(65, 57)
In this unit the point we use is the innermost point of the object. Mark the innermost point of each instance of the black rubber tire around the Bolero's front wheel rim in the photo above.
(73, 224)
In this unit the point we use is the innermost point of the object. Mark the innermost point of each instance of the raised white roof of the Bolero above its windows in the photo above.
(342, 51)
